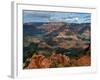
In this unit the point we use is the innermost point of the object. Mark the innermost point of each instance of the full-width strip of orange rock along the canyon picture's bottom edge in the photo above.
(56, 61)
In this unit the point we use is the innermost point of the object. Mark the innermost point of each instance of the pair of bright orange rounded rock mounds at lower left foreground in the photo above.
(55, 60)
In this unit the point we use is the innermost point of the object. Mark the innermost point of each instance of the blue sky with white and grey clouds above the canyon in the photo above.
(51, 16)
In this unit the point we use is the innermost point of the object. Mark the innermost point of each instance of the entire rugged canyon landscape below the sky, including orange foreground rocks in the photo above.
(56, 44)
